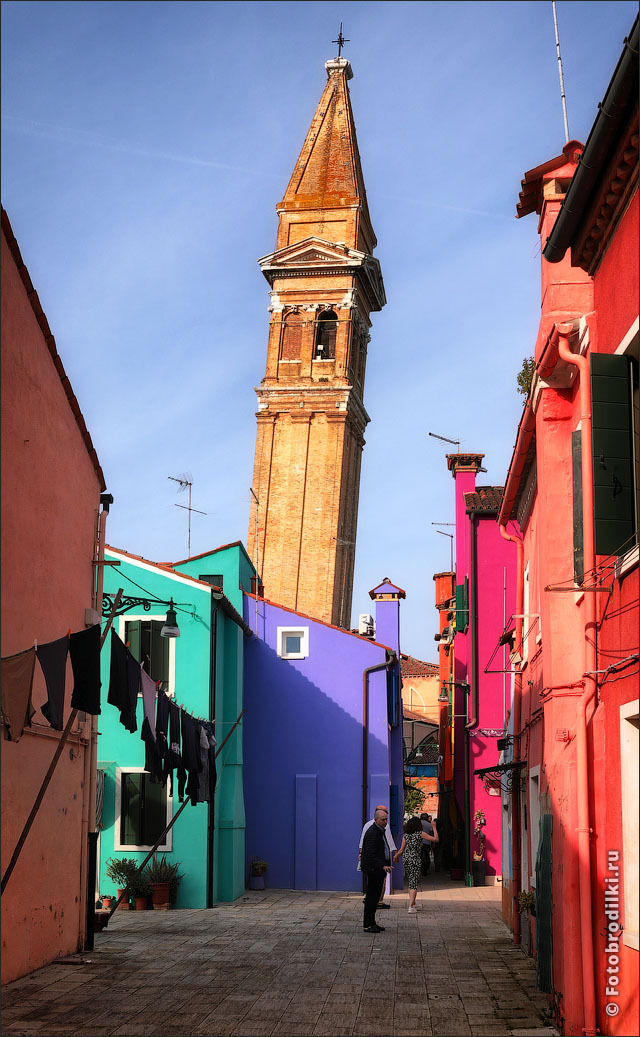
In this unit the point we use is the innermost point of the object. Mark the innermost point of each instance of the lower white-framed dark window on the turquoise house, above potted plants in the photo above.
(143, 811)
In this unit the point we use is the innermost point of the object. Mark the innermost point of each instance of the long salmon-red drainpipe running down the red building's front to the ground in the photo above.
(563, 331)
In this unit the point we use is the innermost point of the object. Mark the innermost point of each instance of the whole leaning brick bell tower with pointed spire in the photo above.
(325, 284)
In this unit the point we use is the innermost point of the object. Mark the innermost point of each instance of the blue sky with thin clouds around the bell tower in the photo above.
(146, 147)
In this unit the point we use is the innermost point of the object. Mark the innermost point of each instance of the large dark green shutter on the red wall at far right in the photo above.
(613, 443)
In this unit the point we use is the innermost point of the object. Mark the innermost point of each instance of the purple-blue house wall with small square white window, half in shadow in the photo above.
(303, 751)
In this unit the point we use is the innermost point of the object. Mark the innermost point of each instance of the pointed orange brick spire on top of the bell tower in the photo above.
(328, 175)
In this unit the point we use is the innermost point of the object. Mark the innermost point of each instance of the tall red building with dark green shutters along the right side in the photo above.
(573, 488)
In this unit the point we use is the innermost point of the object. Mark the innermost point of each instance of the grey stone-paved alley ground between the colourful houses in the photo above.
(293, 964)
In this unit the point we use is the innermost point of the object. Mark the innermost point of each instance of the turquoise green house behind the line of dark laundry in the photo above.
(203, 670)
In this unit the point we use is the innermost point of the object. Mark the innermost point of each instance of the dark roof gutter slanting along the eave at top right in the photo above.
(598, 150)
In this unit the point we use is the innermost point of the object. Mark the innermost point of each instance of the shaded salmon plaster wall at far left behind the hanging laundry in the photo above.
(50, 503)
